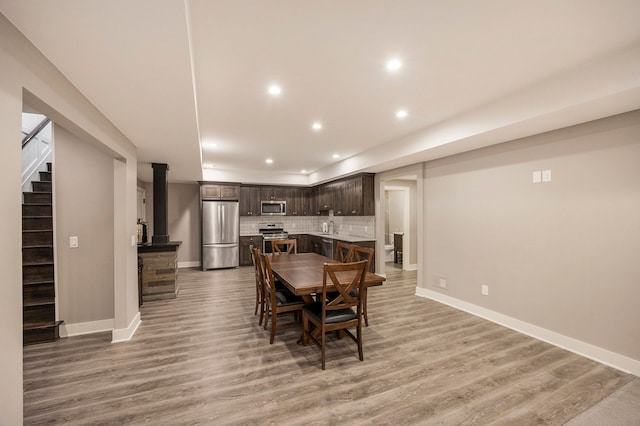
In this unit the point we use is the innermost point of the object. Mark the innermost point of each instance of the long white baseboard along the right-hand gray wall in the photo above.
(612, 359)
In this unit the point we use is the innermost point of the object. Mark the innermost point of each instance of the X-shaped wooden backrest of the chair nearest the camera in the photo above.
(345, 284)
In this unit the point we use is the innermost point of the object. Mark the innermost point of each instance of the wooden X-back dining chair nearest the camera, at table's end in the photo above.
(335, 310)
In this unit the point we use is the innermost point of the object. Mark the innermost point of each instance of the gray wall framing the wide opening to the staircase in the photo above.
(28, 77)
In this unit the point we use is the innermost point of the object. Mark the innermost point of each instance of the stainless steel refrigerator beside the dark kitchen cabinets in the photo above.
(220, 234)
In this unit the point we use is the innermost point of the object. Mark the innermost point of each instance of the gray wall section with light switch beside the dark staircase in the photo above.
(83, 178)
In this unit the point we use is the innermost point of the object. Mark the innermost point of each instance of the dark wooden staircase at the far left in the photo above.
(38, 282)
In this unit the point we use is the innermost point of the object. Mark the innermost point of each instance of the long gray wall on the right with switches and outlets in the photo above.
(561, 255)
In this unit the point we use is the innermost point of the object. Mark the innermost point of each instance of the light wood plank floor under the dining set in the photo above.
(202, 359)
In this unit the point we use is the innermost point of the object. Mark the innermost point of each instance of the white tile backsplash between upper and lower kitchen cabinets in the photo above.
(357, 226)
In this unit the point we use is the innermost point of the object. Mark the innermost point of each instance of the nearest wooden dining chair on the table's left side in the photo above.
(278, 301)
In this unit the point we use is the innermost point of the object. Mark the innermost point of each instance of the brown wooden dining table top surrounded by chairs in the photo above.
(303, 273)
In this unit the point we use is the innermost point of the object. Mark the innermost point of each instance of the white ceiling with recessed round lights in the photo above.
(174, 75)
